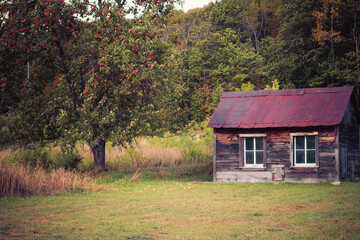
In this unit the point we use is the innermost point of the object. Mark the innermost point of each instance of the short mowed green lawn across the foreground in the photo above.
(166, 209)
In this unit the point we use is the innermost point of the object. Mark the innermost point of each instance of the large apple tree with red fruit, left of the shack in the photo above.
(95, 71)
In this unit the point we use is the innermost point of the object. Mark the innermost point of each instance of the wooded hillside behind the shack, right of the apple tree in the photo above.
(254, 44)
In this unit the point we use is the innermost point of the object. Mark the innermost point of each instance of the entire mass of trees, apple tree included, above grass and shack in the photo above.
(109, 71)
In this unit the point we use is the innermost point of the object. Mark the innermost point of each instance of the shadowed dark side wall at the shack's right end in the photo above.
(349, 145)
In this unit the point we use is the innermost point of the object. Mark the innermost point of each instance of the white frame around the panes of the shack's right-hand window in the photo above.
(293, 150)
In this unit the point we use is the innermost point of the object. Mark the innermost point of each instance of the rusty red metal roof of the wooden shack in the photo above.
(282, 108)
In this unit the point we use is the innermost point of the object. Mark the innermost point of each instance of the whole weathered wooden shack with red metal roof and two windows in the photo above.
(297, 135)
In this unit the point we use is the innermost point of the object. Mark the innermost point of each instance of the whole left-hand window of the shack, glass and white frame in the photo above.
(252, 150)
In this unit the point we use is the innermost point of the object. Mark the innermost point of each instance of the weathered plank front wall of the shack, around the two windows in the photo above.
(277, 153)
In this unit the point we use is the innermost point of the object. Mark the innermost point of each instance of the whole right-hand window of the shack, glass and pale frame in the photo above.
(304, 150)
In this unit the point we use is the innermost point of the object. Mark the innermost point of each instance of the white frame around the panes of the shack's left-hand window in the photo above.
(253, 136)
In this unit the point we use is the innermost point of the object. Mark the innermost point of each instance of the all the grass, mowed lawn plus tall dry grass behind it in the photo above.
(161, 189)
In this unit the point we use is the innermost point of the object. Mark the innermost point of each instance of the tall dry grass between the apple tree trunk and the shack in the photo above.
(145, 153)
